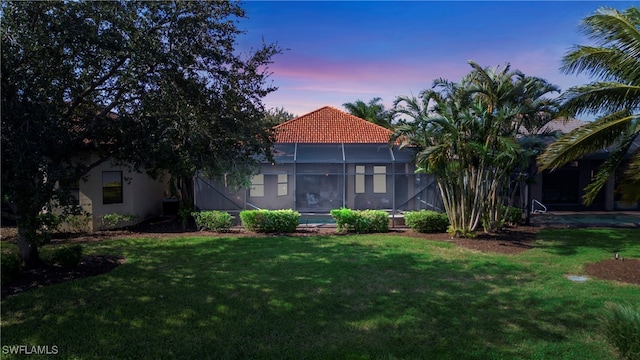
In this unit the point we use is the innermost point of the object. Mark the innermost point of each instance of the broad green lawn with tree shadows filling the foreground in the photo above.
(332, 297)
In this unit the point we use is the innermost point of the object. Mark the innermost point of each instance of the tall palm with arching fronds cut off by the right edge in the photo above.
(614, 96)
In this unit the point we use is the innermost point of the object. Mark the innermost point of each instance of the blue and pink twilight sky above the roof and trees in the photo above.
(342, 51)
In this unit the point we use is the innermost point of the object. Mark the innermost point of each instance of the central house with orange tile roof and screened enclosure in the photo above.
(324, 160)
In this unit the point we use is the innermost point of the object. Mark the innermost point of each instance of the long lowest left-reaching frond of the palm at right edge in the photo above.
(586, 140)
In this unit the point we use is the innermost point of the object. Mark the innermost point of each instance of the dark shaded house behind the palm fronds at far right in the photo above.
(562, 189)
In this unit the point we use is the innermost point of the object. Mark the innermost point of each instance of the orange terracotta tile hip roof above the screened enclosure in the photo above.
(329, 125)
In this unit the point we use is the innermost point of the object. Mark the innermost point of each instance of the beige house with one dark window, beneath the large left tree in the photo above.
(110, 189)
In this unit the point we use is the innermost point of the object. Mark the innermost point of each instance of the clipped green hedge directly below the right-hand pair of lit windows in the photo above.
(361, 221)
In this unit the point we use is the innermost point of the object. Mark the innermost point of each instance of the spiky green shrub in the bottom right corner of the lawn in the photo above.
(621, 327)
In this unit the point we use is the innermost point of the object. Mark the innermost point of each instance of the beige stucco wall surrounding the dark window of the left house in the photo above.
(142, 196)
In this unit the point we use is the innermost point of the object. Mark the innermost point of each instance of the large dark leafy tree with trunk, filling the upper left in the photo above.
(157, 85)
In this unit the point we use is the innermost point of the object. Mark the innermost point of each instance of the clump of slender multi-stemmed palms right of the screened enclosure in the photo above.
(465, 134)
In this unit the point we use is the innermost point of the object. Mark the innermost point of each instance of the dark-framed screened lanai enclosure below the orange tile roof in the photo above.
(315, 178)
